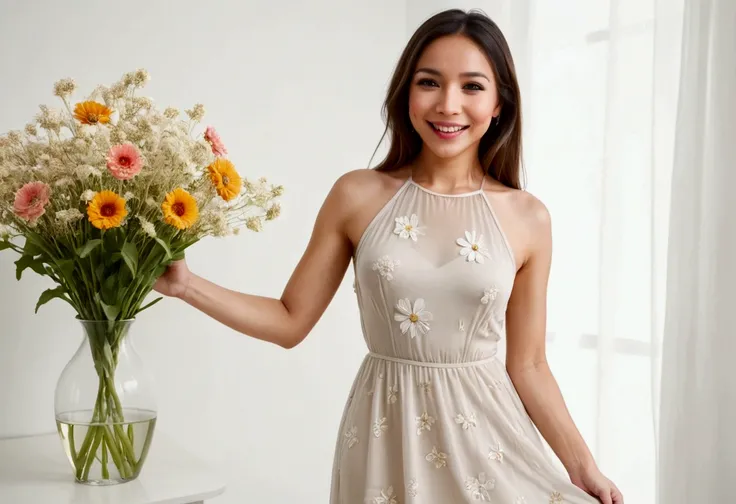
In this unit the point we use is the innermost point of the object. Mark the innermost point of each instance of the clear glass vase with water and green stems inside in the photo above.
(105, 406)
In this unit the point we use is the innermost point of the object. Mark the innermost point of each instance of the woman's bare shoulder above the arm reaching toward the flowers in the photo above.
(359, 195)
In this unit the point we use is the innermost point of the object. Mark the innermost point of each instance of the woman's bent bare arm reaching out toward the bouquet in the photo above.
(313, 284)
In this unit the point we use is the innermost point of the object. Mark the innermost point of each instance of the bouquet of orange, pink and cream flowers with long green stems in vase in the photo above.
(106, 192)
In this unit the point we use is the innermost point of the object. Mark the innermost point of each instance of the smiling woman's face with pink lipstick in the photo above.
(453, 96)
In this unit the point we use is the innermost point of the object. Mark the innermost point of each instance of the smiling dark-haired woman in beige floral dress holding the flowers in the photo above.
(433, 416)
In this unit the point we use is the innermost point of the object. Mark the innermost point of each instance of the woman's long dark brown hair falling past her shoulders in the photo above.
(499, 151)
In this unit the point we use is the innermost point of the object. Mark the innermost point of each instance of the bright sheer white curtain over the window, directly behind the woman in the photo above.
(600, 85)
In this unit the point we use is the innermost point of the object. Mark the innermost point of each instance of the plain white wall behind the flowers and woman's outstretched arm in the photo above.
(295, 90)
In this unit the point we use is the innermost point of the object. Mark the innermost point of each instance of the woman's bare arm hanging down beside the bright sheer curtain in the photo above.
(526, 360)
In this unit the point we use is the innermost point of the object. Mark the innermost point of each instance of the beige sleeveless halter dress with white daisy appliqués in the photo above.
(432, 416)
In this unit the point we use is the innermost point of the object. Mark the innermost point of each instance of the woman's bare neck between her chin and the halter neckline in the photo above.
(462, 172)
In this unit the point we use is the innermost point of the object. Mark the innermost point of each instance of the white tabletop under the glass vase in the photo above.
(35, 470)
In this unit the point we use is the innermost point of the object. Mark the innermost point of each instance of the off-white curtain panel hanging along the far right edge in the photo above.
(697, 428)
